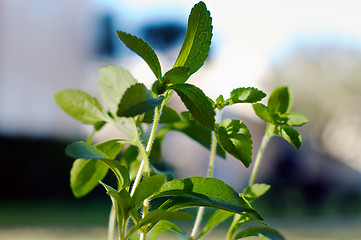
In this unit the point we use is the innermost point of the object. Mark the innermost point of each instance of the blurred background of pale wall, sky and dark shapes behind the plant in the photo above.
(314, 47)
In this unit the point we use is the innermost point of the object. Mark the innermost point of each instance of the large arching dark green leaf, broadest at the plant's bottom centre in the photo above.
(199, 191)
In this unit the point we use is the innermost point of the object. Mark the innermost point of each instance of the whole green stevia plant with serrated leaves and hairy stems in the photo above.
(145, 200)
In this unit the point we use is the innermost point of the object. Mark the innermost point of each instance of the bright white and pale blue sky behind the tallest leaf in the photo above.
(250, 36)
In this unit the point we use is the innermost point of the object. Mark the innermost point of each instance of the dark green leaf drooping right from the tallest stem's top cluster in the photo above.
(197, 103)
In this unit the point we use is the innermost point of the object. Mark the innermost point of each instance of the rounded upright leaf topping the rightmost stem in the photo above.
(280, 100)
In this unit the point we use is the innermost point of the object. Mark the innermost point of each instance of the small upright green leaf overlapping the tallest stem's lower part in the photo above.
(146, 188)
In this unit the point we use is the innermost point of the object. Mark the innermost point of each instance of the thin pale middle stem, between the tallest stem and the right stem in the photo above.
(200, 212)
